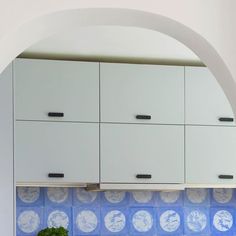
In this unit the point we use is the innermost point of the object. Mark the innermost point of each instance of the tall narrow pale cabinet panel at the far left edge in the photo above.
(7, 213)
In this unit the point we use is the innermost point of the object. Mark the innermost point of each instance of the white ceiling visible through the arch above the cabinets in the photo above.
(113, 43)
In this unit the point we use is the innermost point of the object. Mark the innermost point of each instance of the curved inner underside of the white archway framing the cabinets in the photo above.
(46, 25)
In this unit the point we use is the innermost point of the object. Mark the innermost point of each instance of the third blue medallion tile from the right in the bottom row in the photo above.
(170, 221)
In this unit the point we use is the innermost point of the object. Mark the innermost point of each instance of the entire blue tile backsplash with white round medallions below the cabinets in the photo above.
(190, 212)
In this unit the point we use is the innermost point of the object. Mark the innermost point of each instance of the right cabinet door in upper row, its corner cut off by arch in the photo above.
(206, 102)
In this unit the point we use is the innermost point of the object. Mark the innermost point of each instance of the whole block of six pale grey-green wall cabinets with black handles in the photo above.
(121, 124)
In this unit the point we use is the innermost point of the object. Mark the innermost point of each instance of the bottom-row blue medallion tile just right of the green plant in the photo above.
(86, 221)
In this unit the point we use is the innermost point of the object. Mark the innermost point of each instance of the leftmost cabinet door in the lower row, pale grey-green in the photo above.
(56, 147)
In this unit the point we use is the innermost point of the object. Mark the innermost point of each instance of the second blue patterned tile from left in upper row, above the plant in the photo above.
(58, 196)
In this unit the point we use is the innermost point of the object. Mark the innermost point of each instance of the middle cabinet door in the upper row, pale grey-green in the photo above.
(128, 90)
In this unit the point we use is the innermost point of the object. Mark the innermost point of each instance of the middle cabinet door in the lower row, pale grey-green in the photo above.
(128, 150)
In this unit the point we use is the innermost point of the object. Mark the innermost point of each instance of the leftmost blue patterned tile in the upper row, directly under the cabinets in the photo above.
(29, 196)
